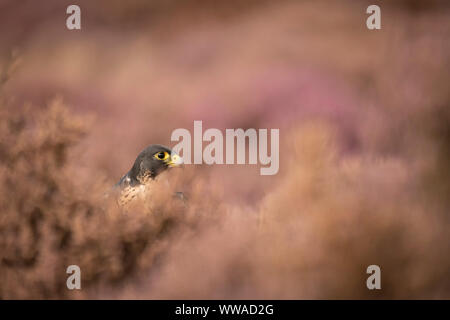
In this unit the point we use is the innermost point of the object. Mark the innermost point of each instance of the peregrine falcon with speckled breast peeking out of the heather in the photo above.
(151, 162)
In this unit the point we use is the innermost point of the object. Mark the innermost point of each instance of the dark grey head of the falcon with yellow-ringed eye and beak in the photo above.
(151, 162)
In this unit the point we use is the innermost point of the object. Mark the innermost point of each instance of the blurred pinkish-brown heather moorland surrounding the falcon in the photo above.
(364, 148)
